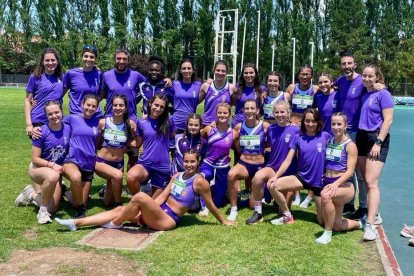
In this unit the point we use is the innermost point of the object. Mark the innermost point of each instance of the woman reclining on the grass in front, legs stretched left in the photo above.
(163, 212)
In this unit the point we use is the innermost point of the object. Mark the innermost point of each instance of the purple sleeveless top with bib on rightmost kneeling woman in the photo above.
(336, 156)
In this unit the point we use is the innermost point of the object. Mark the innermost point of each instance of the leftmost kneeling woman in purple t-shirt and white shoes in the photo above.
(48, 154)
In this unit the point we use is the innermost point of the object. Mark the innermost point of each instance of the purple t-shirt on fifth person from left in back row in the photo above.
(185, 97)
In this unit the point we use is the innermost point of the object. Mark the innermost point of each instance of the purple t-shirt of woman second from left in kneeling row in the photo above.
(82, 142)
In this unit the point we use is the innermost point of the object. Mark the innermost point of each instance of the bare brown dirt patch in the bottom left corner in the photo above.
(61, 261)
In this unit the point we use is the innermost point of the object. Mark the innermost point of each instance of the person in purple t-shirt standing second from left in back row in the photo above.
(82, 80)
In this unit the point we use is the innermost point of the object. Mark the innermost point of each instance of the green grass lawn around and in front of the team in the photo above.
(197, 246)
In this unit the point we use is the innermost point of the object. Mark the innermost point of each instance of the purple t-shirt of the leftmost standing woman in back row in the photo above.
(43, 88)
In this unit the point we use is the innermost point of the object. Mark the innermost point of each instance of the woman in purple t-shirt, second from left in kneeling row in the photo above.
(80, 162)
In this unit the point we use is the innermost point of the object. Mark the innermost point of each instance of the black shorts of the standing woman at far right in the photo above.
(366, 139)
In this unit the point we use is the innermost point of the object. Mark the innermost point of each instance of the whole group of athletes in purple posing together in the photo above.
(312, 137)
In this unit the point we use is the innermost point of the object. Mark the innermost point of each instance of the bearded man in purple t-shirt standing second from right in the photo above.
(350, 91)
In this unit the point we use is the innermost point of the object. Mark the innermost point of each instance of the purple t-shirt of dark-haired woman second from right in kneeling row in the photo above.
(311, 156)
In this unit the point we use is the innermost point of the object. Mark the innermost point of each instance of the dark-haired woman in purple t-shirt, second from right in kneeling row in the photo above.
(309, 146)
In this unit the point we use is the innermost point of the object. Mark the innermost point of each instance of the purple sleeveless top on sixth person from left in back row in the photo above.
(213, 97)
